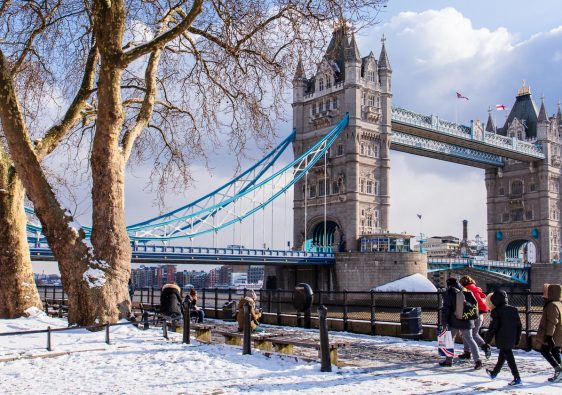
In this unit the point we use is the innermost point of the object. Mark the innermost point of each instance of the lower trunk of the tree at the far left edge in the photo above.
(17, 286)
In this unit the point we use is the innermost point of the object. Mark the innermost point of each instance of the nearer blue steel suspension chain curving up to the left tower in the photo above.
(316, 151)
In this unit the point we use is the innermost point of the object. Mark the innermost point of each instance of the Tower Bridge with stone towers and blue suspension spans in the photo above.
(344, 128)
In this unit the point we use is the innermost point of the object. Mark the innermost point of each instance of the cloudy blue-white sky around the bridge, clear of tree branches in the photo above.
(480, 48)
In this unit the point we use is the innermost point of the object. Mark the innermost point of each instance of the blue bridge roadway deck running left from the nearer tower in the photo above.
(207, 255)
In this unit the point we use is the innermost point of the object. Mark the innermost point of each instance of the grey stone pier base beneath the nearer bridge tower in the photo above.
(356, 271)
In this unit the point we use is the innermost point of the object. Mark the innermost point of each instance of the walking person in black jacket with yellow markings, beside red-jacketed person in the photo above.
(456, 325)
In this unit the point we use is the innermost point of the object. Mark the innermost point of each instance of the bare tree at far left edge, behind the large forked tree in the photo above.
(26, 23)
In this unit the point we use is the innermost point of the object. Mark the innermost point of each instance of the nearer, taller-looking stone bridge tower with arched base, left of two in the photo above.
(335, 204)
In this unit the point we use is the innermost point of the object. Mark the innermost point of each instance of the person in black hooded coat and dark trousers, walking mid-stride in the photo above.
(506, 328)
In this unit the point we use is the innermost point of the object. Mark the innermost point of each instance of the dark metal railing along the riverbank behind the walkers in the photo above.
(346, 306)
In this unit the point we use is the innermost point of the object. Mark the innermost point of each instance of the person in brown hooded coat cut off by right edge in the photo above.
(548, 340)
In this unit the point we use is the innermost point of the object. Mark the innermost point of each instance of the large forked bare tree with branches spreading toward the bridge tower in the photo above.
(170, 76)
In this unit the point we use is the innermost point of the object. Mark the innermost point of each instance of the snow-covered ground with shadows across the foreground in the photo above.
(139, 362)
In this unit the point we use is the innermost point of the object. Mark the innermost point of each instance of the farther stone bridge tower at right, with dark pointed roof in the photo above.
(524, 199)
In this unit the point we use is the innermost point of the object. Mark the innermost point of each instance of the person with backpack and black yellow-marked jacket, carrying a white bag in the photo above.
(459, 312)
